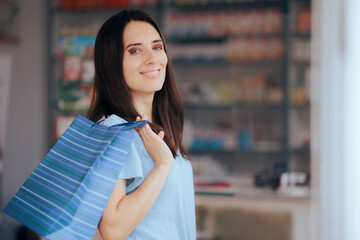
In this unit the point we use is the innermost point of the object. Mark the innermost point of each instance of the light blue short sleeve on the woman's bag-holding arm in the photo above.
(132, 168)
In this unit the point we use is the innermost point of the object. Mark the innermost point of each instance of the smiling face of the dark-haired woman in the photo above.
(145, 60)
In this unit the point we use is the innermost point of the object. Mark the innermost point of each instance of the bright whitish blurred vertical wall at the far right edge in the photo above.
(335, 117)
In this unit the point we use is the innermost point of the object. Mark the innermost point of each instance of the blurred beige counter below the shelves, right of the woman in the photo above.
(245, 212)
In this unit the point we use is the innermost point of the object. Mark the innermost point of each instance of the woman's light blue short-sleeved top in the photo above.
(173, 214)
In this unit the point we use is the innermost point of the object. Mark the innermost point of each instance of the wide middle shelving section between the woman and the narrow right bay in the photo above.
(230, 60)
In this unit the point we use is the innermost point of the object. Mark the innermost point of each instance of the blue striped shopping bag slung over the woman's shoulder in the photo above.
(65, 195)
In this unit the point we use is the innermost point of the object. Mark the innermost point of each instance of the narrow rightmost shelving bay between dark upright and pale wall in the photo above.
(299, 85)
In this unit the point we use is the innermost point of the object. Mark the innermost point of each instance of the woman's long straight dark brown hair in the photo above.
(113, 96)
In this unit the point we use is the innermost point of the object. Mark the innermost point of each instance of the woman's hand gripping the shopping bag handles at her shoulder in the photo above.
(155, 145)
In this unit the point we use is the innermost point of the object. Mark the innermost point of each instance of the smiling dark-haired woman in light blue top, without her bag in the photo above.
(154, 194)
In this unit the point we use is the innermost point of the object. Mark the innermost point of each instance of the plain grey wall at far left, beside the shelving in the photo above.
(26, 141)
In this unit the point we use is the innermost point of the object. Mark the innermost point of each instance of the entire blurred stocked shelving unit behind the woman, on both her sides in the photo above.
(242, 68)
